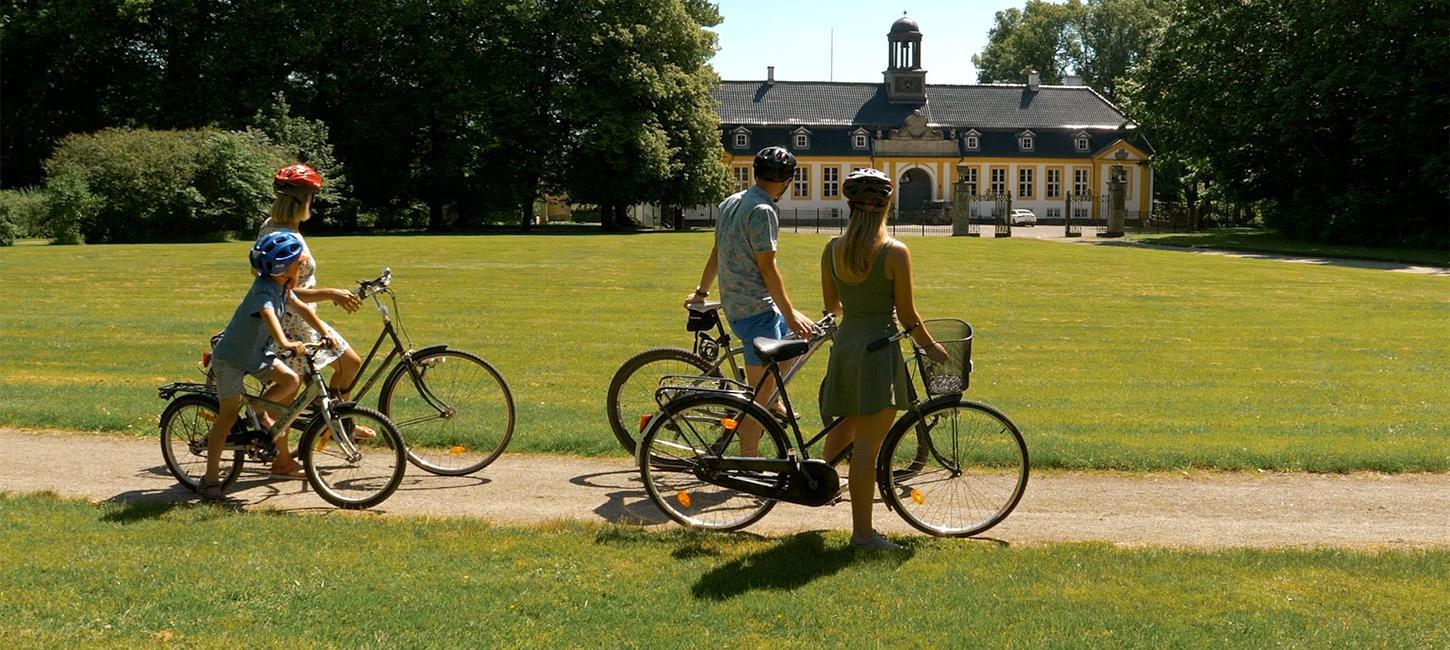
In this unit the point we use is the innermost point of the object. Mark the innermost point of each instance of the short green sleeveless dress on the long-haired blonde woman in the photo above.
(861, 382)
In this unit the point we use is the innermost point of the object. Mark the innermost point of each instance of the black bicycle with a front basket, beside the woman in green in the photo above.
(949, 466)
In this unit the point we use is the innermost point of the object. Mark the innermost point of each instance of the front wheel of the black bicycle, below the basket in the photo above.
(972, 477)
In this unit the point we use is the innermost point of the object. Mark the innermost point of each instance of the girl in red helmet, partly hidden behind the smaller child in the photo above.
(297, 186)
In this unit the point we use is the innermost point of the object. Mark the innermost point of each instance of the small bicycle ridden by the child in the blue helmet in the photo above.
(347, 471)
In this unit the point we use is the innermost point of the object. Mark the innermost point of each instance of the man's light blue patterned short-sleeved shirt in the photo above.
(749, 226)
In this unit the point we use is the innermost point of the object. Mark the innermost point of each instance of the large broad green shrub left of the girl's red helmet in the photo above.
(125, 186)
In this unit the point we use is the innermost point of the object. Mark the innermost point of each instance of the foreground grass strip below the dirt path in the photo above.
(79, 575)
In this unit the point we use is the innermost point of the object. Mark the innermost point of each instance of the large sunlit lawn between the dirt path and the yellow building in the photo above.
(1104, 356)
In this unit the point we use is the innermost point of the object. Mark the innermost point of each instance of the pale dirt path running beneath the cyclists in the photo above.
(1185, 510)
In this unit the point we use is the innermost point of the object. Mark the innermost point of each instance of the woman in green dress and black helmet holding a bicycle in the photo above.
(866, 281)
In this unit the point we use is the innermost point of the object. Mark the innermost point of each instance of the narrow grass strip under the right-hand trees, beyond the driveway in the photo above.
(1261, 240)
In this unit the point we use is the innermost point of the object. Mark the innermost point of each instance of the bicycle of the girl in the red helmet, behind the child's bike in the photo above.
(456, 410)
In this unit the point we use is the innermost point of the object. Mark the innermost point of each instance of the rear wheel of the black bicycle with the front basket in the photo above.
(679, 446)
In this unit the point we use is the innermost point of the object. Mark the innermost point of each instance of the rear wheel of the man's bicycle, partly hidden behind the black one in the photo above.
(631, 391)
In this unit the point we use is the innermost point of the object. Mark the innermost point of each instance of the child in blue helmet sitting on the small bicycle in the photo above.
(247, 349)
